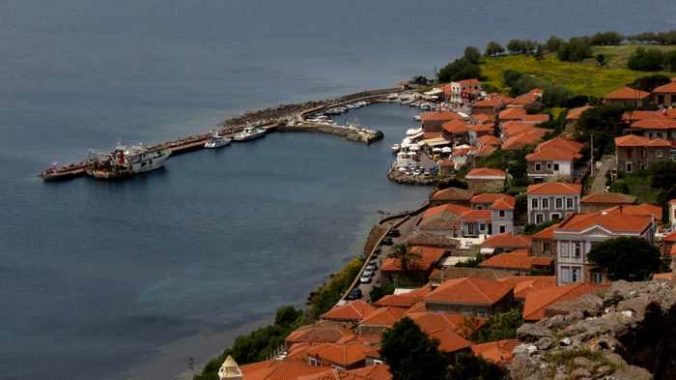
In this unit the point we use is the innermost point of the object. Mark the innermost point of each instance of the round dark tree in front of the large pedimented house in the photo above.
(626, 258)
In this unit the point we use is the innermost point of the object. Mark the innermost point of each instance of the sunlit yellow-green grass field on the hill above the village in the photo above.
(582, 78)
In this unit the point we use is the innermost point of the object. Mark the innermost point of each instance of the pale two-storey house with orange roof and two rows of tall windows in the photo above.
(551, 201)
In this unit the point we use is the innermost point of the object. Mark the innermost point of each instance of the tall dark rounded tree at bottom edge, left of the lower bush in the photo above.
(411, 354)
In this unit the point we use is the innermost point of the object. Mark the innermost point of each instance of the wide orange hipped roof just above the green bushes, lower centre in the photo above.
(469, 290)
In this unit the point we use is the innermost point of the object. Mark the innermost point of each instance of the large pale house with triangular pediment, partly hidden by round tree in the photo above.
(576, 235)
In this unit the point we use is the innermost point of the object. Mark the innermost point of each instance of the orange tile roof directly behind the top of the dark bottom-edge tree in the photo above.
(441, 327)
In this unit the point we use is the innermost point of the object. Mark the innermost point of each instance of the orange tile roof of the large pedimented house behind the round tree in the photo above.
(608, 221)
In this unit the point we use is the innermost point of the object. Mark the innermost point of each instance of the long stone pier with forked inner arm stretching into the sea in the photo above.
(284, 118)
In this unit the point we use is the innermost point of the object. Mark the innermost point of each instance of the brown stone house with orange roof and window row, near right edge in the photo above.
(633, 153)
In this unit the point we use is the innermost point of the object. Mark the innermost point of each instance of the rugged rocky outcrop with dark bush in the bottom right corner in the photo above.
(628, 332)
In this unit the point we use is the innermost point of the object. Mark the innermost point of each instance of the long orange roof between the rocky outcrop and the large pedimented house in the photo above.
(538, 301)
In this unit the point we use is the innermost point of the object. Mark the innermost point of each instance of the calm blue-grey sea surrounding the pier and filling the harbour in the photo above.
(130, 279)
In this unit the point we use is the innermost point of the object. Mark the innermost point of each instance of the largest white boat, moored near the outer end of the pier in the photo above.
(125, 161)
